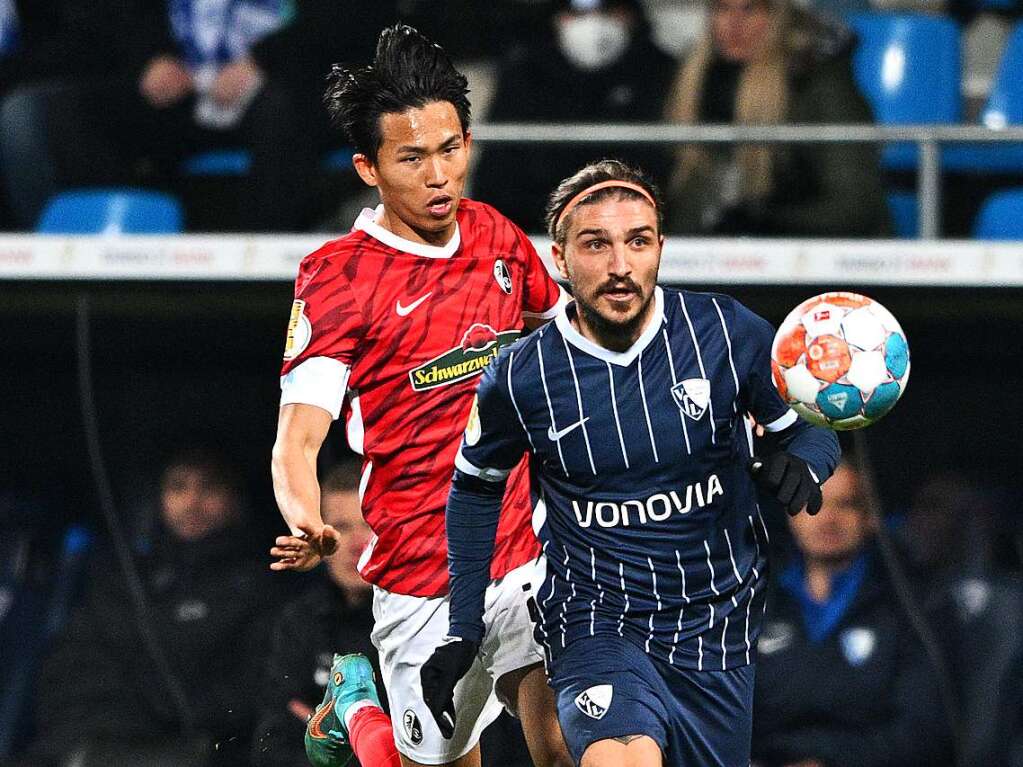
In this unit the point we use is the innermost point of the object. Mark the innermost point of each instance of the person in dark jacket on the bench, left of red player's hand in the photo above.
(172, 685)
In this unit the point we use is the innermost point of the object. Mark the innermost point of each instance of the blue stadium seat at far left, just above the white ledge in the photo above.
(111, 212)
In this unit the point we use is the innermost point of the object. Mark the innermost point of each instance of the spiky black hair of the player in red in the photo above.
(409, 72)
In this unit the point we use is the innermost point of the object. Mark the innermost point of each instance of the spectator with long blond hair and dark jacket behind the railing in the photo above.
(768, 62)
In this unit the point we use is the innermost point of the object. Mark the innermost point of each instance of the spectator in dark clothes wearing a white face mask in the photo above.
(597, 64)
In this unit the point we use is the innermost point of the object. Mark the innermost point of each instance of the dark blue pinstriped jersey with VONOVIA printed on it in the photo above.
(646, 509)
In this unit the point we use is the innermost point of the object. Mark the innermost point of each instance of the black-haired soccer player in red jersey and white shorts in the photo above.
(392, 326)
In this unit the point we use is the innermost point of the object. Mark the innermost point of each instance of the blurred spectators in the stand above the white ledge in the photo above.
(118, 94)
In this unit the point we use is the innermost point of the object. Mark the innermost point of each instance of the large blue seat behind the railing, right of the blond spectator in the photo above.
(909, 68)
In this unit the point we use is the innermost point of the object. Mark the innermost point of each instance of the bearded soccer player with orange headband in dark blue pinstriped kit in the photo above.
(635, 404)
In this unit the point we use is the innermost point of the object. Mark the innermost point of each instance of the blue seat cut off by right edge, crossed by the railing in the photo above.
(1004, 109)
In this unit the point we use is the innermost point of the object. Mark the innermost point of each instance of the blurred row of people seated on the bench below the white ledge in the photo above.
(891, 640)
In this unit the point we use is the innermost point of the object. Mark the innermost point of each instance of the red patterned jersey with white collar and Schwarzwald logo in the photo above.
(395, 335)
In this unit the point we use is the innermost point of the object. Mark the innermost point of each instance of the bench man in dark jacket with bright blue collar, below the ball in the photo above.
(842, 681)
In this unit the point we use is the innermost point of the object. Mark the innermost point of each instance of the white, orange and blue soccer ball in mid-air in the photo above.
(840, 360)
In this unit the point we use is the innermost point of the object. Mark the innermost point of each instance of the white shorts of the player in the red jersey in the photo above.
(407, 631)
